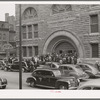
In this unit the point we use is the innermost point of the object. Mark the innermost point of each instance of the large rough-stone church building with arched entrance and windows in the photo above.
(67, 28)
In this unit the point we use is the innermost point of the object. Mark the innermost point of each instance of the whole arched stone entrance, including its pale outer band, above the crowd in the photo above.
(63, 41)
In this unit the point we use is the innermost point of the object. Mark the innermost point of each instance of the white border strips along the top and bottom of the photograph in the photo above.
(51, 94)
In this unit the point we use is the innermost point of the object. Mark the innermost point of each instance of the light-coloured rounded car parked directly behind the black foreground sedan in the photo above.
(73, 70)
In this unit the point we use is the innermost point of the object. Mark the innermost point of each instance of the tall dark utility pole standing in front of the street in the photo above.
(20, 50)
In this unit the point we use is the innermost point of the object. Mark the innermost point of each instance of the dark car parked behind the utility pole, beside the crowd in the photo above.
(15, 67)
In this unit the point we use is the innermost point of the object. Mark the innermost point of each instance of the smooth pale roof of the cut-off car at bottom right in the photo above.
(94, 82)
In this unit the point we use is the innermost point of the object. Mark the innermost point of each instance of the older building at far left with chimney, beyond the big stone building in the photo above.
(7, 36)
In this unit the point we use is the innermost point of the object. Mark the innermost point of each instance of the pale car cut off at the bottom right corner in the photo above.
(89, 85)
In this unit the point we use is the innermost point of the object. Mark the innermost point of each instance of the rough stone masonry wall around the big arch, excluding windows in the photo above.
(76, 22)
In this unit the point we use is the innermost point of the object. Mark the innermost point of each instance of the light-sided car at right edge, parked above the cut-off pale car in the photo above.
(90, 69)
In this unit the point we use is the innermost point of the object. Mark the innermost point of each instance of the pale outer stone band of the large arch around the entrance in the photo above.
(70, 36)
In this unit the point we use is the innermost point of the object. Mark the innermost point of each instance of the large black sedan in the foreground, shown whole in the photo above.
(51, 78)
